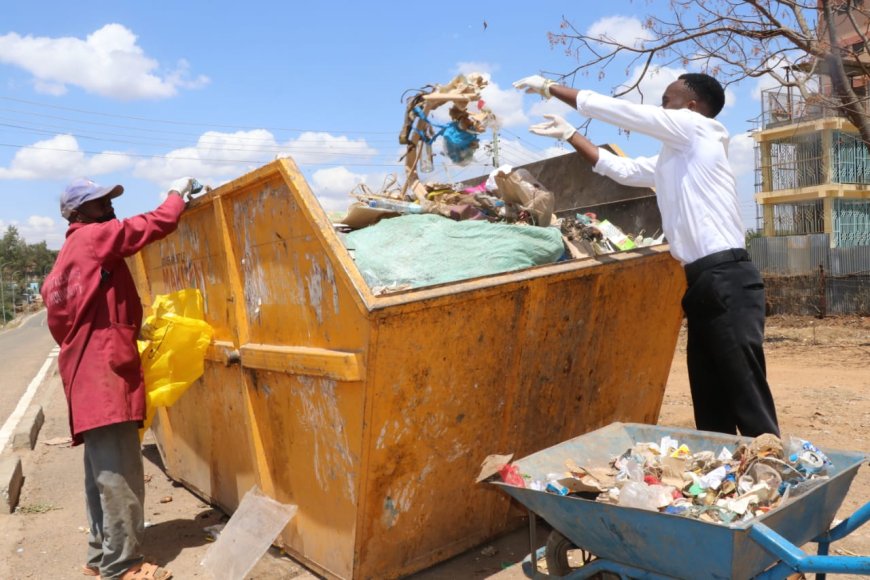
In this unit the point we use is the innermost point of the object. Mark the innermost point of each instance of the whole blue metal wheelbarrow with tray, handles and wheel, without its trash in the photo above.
(625, 542)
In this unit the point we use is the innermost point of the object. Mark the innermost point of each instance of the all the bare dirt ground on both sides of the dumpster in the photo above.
(819, 372)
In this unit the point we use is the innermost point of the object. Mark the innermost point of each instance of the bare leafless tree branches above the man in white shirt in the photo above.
(788, 40)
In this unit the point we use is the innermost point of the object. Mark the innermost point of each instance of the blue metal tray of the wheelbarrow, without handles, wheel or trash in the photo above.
(667, 544)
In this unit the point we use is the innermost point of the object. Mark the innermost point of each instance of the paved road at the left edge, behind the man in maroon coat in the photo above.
(23, 351)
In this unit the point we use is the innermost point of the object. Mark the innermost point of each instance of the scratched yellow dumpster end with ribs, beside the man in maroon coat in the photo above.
(282, 399)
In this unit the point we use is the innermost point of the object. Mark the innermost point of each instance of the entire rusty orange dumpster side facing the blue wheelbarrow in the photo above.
(502, 370)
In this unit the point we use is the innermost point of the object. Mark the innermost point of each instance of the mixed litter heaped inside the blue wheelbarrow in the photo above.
(666, 476)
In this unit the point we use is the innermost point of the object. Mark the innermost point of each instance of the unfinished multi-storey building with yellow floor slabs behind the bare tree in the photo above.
(812, 167)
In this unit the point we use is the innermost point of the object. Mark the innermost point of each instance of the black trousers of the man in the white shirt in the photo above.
(724, 306)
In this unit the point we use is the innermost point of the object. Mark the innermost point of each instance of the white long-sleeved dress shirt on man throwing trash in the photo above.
(695, 186)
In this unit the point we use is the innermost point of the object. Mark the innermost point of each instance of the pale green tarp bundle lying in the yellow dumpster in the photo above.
(422, 250)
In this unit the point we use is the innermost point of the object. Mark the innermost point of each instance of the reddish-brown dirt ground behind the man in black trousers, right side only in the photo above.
(819, 372)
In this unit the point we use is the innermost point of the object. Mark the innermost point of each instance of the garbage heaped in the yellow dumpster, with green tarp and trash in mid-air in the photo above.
(509, 196)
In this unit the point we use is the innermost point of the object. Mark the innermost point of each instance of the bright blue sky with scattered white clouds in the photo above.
(143, 93)
